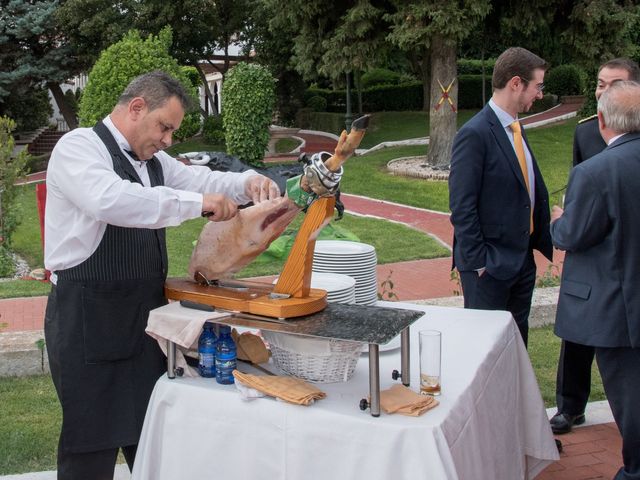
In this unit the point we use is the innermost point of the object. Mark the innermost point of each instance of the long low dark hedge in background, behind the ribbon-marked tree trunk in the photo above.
(401, 97)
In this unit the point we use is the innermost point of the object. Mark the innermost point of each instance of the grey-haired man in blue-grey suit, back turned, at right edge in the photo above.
(599, 229)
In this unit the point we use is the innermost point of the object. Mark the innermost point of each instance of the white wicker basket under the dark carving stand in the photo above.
(316, 360)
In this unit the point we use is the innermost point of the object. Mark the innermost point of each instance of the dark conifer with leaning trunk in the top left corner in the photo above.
(33, 53)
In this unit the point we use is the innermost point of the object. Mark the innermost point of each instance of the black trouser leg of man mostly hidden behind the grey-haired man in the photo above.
(573, 382)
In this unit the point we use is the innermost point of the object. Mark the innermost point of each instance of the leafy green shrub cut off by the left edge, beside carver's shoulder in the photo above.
(10, 170)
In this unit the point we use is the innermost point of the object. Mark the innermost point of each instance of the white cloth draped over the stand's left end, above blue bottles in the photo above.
(182, 326)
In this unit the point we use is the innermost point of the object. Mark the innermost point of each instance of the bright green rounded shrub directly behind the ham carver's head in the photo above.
(121, 63)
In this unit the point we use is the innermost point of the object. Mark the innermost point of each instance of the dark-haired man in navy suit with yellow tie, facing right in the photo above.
(498, 200)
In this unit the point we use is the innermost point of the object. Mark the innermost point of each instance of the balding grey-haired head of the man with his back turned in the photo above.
(620, 106)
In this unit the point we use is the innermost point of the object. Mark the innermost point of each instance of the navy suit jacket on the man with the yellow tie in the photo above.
(489, 201)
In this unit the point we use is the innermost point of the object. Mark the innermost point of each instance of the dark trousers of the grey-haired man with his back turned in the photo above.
(620, 370)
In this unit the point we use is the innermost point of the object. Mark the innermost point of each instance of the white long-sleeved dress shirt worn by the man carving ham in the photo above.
(84, 194)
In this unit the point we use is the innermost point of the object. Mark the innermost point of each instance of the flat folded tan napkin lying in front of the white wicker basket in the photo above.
(289, 389)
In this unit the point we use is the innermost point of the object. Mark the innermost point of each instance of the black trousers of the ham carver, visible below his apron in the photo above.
(98, 465)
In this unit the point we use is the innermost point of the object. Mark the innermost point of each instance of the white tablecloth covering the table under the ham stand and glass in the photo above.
(490, 424)
